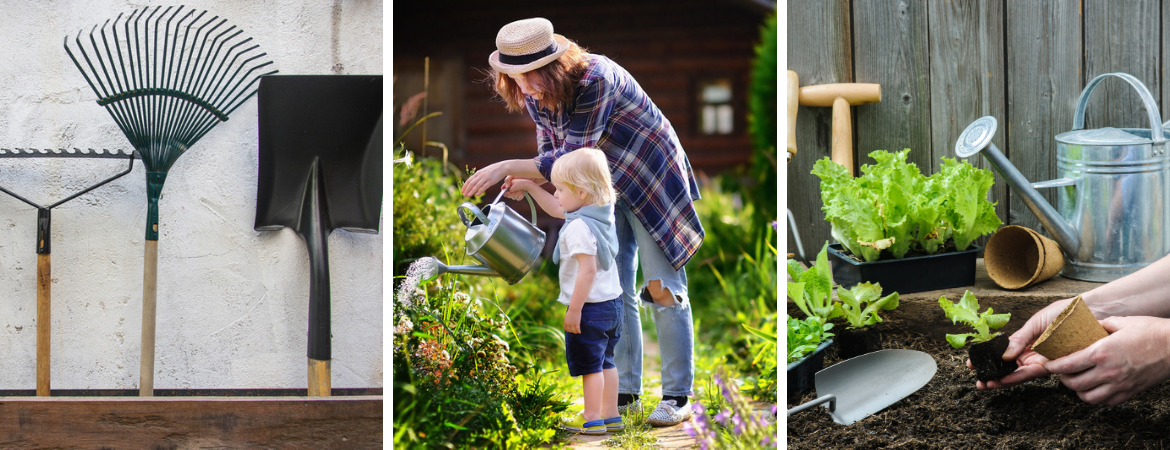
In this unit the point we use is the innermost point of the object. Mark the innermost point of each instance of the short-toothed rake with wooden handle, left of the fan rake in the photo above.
(44, 234)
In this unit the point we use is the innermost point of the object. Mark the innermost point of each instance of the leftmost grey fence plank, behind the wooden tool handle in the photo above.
(818, 49)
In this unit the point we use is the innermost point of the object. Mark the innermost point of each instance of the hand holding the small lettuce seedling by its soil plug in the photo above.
(1020, 348)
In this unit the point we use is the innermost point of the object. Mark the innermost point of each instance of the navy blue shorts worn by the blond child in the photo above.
(593, 351)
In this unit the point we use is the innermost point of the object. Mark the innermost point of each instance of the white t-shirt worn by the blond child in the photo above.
(579, 239)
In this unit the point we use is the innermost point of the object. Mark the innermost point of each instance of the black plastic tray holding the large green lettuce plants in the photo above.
(904, 276)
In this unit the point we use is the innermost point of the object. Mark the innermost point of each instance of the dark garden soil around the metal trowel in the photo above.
(949, 413)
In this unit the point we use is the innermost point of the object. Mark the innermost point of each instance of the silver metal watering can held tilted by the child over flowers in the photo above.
(507, 245)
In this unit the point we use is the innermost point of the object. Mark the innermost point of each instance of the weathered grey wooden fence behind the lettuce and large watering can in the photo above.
(942, 65)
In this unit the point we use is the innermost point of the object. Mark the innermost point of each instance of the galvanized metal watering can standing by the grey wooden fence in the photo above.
(1112, 210)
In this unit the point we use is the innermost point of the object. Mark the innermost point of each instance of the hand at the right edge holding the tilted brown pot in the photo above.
(1134, 357)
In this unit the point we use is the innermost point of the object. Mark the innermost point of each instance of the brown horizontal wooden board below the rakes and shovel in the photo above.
(353, 423)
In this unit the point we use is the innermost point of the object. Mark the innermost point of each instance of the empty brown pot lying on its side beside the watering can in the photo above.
(1018, 258)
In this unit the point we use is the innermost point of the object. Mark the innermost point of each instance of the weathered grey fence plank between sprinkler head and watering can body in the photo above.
(1044, 80)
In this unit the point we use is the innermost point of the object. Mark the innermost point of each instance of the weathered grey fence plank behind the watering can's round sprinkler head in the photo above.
(967, 80)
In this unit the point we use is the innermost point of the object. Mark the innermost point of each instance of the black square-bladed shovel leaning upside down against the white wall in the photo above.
(320, 170)
